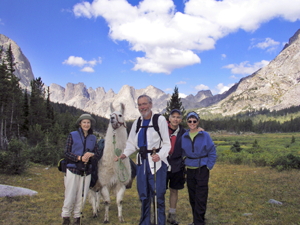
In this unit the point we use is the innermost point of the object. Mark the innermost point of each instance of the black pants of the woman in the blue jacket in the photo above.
(197, 183)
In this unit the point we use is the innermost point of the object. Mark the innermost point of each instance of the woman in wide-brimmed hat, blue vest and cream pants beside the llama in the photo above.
(81, 148)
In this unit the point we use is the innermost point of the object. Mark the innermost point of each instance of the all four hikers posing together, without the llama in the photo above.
(168, 155)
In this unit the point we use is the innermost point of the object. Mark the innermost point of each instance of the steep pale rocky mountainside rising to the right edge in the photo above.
(274, 87)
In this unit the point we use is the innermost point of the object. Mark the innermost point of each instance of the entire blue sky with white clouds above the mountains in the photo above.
(194, 45)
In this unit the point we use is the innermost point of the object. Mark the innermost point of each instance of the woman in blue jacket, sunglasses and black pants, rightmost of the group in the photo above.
(199, 157)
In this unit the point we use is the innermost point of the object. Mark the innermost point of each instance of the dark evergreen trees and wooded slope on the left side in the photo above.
(32, 128)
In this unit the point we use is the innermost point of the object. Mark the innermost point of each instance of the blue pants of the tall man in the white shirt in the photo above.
(145, 187)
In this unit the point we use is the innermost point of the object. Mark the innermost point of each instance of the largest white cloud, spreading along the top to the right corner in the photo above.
(171, 39)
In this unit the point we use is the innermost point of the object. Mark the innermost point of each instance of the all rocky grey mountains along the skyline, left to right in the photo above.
(276, 86)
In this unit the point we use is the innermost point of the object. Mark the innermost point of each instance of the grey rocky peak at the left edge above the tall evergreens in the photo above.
(23, 67)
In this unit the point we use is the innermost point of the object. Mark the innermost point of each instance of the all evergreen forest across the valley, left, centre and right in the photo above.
(34, 130)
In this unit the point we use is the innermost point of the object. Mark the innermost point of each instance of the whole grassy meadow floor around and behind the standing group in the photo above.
(238, 194)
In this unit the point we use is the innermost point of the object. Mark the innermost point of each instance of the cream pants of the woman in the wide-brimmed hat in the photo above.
(73, 194)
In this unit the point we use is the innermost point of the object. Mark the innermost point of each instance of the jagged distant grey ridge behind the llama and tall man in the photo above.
(98, 101)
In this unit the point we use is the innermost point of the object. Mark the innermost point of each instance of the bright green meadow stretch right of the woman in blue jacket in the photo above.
(272, 149)
